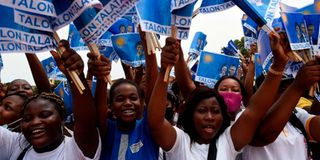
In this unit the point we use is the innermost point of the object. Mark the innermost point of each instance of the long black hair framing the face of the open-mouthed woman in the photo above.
(199, 94)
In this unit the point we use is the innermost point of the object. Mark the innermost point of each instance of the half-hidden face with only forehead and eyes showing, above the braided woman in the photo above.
(21, 87)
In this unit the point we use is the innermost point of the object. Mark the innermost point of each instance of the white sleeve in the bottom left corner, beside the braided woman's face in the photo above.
(9, 144)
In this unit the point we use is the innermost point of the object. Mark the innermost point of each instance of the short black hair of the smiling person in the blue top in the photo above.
(120, 82)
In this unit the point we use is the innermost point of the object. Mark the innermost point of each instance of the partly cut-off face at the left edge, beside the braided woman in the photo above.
(10, 109)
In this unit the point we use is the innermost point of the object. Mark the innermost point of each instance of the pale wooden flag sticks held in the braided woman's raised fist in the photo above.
(74, 76)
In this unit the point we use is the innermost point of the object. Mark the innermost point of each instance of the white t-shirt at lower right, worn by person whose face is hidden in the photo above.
(289, 145)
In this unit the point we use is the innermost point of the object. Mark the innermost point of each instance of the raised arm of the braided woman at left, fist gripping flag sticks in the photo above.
(85, 131)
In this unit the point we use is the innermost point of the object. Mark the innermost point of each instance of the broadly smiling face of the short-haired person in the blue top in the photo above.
(126, 103)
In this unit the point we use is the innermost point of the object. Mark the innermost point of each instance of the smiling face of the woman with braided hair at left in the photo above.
(41, 124)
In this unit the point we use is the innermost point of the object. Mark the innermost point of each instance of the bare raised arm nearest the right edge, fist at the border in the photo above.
(282, 109)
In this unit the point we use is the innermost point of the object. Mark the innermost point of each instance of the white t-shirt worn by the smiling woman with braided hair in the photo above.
(12, 144)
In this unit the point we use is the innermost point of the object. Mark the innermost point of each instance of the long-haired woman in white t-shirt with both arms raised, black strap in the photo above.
(207, 132)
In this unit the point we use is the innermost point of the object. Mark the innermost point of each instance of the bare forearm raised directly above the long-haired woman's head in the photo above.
(183, 76)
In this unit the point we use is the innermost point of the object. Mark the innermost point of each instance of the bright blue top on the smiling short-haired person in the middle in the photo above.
(110, 145)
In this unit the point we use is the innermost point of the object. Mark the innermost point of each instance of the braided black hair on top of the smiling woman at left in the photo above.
(53, 98)
